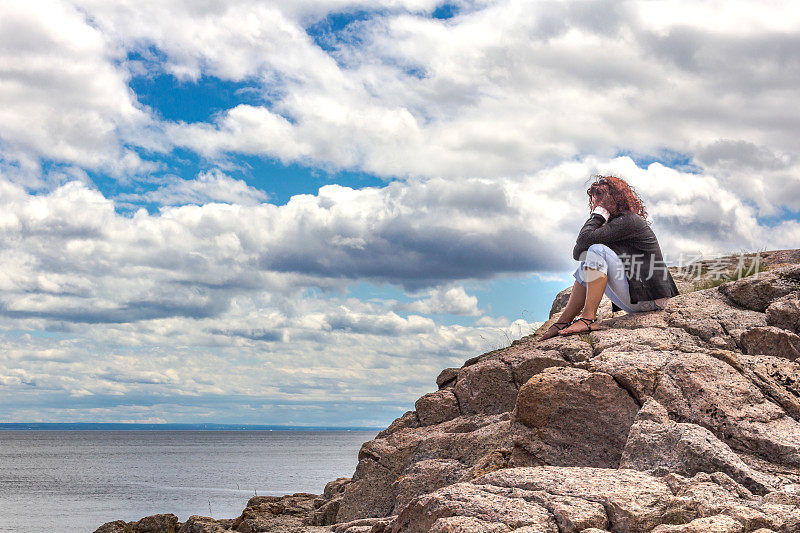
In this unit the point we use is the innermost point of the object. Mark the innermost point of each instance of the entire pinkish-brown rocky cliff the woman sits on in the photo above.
(681, 420)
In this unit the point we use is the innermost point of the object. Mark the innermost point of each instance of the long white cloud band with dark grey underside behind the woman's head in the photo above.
(68, 256)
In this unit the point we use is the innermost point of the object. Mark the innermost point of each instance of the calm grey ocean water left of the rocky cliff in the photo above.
(77, 480)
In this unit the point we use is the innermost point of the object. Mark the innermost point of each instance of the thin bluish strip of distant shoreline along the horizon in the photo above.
(106, 426)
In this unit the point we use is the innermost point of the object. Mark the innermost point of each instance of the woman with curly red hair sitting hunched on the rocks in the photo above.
(620, 257)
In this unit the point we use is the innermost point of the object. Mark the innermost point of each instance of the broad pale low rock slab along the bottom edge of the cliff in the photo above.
(582, 498)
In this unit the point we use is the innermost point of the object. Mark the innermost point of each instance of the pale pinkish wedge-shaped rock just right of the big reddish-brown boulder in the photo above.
(659, 446)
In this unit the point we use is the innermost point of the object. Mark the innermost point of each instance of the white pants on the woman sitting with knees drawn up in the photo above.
(601, 257)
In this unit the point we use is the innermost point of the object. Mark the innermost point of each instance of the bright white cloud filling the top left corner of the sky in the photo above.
(61, 96)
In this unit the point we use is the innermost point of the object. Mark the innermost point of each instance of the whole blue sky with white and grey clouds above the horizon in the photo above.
(299, 212)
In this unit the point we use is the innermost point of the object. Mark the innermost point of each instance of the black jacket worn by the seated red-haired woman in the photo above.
(636, 245)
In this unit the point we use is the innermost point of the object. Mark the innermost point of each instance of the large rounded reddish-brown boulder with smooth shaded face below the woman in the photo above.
(569, 416)
